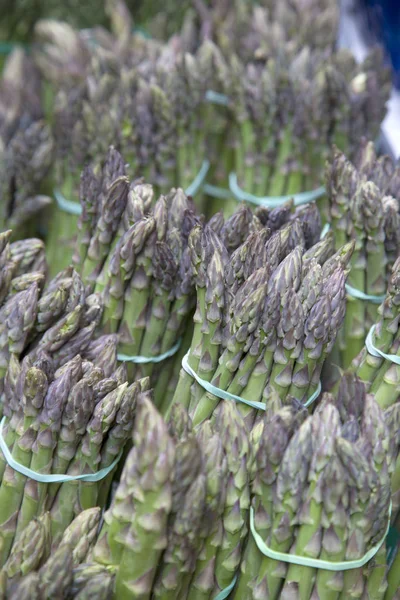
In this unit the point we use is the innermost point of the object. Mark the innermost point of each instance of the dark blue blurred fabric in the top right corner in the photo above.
(383, 22)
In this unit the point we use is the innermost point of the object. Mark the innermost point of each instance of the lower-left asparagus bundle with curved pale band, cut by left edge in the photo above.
(70, 421)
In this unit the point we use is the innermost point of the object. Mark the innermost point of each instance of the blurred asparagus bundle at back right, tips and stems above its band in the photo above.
(290, 106)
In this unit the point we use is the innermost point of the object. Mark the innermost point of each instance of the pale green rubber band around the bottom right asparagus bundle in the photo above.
(316, 563)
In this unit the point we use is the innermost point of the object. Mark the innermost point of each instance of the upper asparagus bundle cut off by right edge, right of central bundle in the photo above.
(362, 207)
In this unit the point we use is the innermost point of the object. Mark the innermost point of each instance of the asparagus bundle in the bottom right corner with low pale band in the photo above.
(321, 490)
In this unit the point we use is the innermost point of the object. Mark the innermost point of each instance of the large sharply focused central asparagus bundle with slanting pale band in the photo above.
(268, 314)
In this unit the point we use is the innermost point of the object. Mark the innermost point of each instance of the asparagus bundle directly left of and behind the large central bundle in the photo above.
(136, 256)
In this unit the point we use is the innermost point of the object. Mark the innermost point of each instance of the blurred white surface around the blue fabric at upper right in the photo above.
(350, 37)
